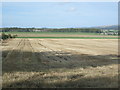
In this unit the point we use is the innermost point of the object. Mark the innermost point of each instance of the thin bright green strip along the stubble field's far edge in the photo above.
(74, 37)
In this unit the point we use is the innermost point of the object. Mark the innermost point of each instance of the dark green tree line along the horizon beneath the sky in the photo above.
(16, 29)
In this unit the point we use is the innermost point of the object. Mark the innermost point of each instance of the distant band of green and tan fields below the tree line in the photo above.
(62, 35)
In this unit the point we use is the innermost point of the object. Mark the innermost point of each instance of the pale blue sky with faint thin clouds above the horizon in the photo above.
(59, 14)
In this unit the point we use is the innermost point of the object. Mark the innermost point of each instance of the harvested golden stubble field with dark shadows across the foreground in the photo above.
(52, 63)
